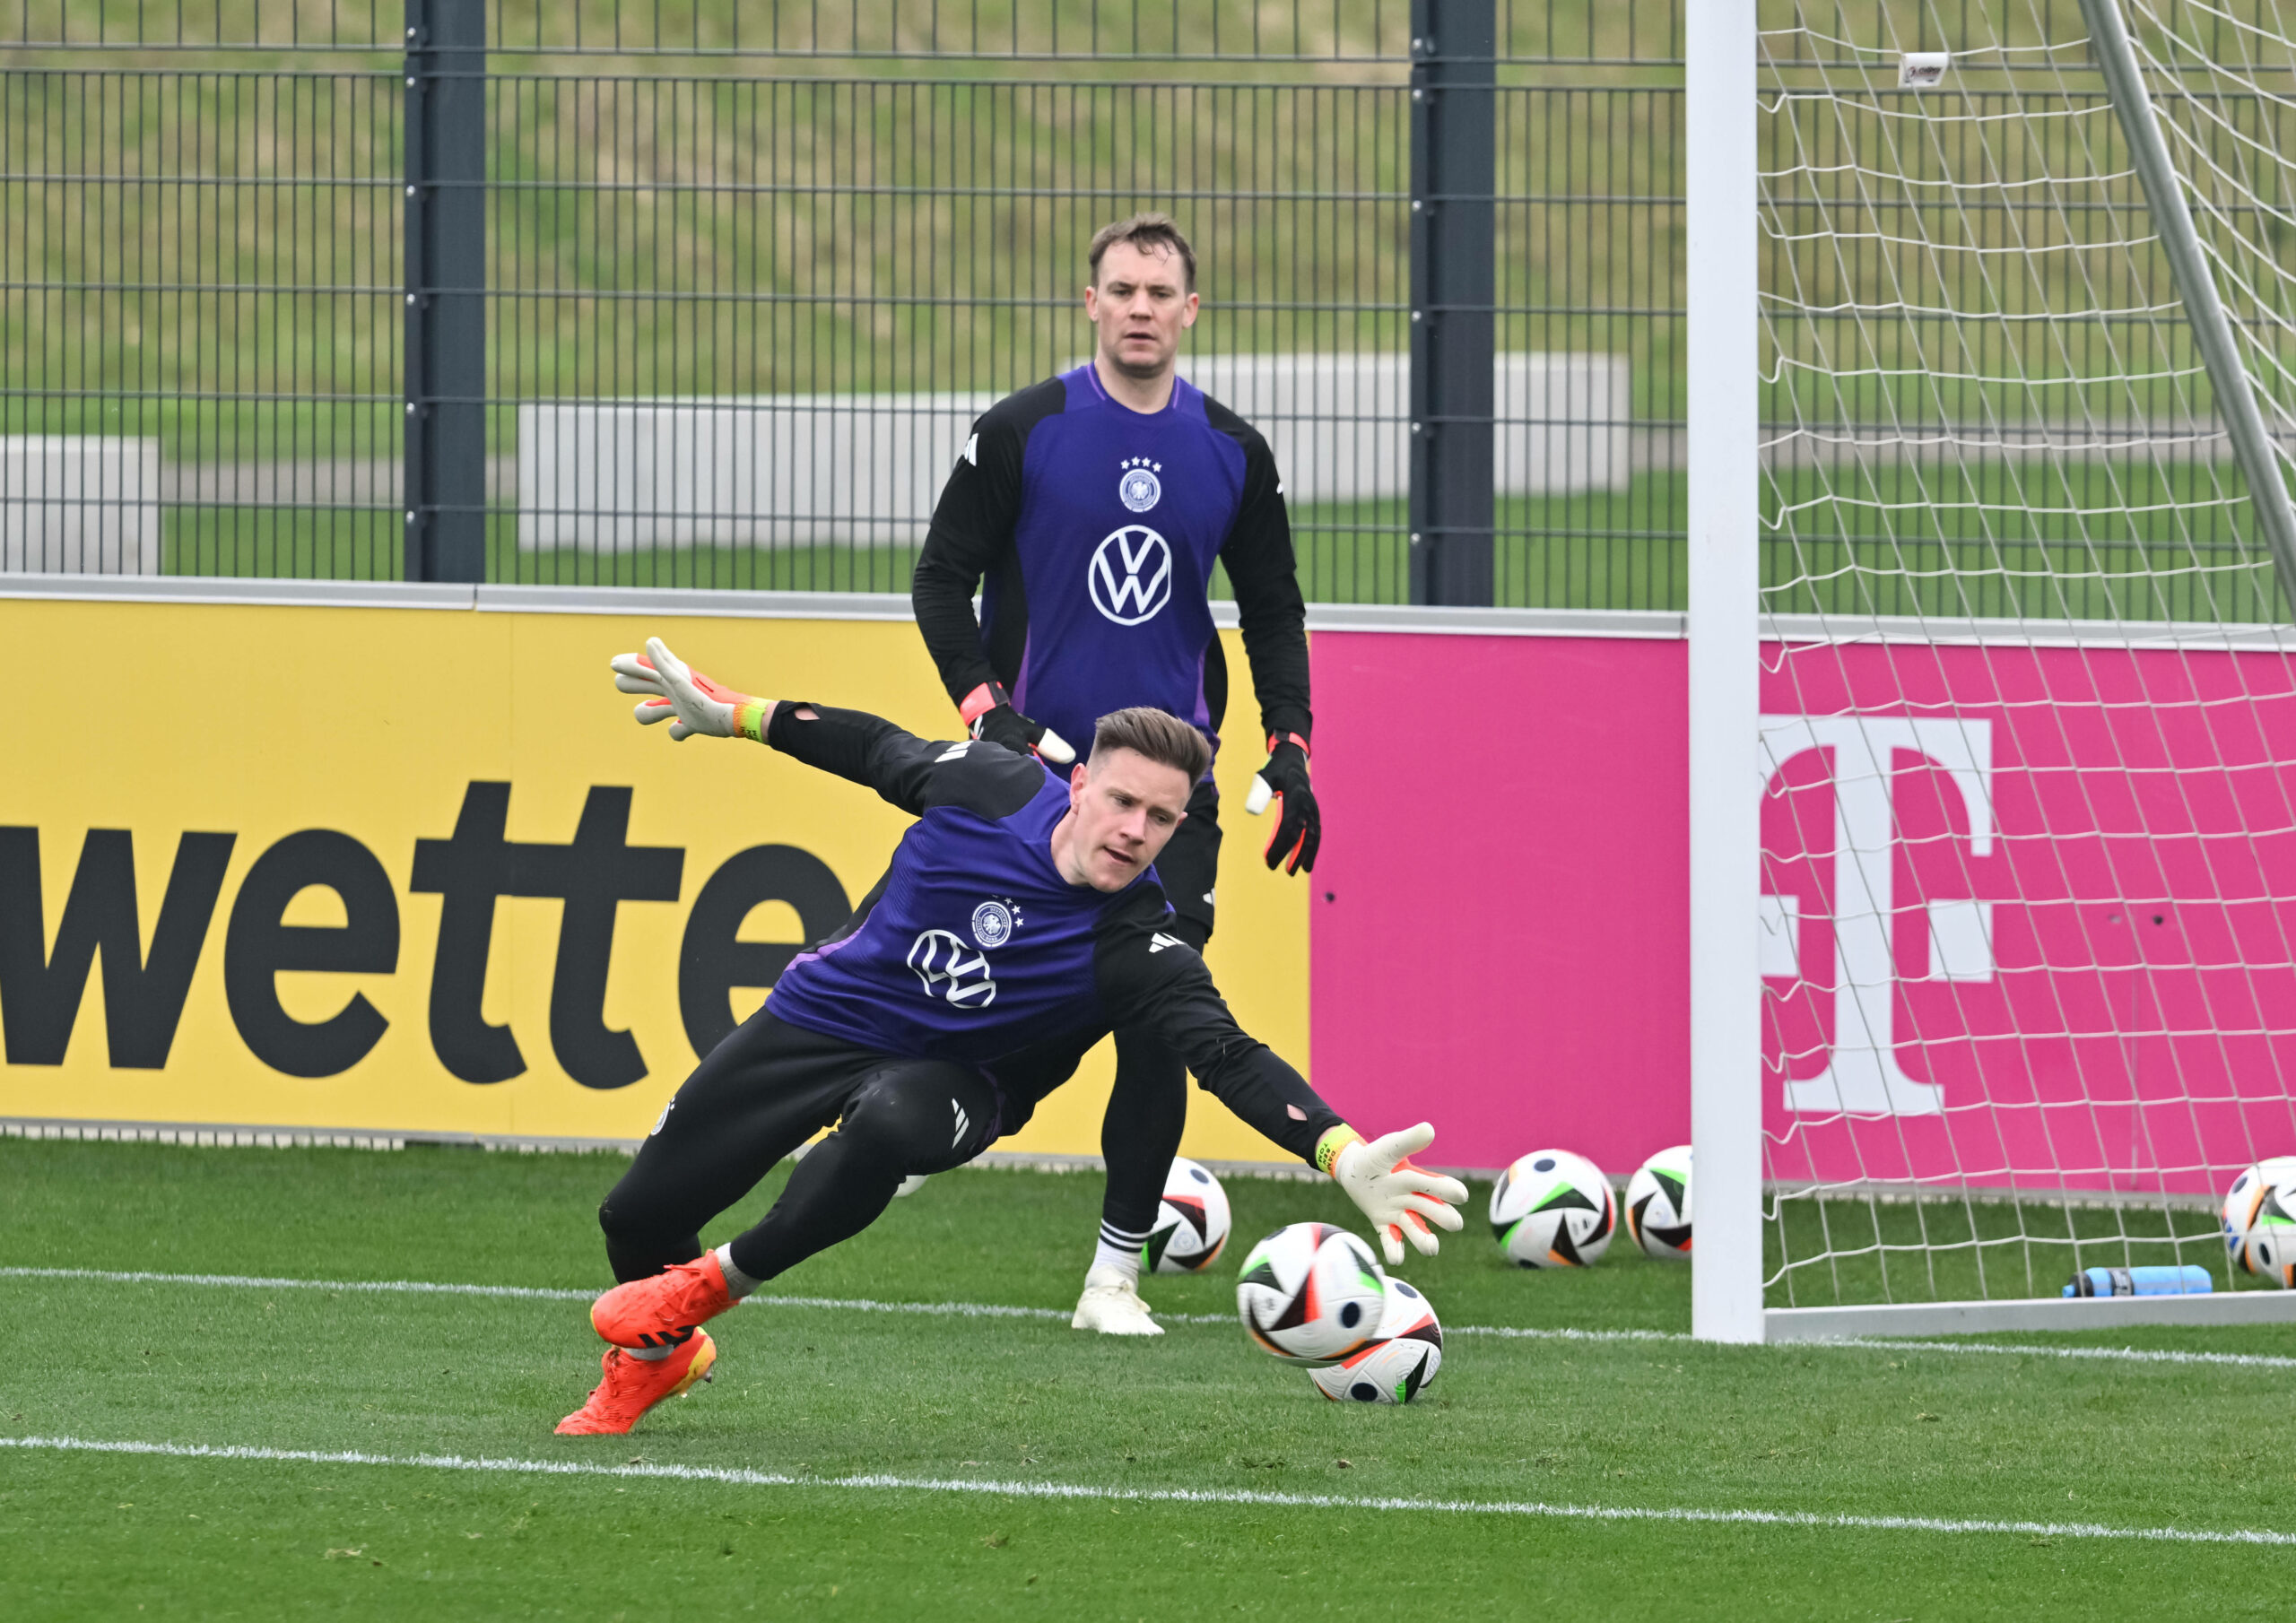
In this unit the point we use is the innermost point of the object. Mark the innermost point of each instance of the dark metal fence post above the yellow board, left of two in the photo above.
(447, 290)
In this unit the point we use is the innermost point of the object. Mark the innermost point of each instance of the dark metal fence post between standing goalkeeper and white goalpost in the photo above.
(1455, 242)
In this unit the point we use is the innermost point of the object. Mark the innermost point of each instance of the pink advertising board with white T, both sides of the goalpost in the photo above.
(2026, 910)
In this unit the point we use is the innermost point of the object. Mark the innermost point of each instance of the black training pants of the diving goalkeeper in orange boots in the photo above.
(761, 1094)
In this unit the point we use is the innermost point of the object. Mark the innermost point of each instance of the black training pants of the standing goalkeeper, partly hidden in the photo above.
(1149, 1103)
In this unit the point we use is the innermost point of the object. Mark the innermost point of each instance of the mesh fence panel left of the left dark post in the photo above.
(199, 313)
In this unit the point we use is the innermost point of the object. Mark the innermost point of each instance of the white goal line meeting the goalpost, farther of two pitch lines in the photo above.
(995, 1310)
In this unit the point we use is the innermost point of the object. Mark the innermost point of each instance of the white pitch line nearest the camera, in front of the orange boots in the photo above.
(738, 1477)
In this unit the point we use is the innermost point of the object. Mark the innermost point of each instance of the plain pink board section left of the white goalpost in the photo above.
(1498, 929)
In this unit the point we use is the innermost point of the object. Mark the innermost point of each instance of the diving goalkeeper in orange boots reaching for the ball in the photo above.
(1018, 924)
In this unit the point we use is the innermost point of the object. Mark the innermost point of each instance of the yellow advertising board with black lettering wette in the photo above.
(231, 837)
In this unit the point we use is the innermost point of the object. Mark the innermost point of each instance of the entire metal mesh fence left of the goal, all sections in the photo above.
(750, 272)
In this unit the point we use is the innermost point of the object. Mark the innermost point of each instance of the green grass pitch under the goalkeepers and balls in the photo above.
(945, 1404)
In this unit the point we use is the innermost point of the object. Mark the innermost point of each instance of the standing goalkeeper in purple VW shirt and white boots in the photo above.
(1089, 513)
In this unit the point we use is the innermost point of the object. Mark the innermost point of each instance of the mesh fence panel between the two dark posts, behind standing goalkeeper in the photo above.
(745, 327)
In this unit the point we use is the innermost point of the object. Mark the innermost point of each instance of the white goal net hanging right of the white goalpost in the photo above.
(2029, 706)
